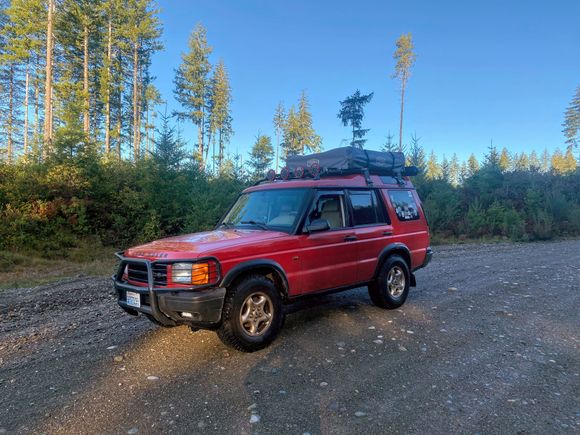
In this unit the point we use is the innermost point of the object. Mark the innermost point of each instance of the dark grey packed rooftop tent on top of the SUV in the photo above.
(350, 158)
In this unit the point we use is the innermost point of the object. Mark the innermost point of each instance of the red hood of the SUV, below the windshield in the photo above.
(200, 244)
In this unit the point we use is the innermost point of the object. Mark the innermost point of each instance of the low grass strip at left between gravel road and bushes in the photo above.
(28, 269)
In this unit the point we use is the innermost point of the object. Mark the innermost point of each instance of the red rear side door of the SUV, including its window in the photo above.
(372, 227)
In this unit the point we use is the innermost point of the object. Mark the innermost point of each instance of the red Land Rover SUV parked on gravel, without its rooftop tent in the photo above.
(305, 232)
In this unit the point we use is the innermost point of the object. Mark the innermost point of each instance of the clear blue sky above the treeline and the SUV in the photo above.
(501, 70)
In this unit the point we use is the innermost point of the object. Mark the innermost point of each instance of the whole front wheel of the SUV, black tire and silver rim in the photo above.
(252, 315)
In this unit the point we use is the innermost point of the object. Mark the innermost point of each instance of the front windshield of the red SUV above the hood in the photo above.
(276, 209)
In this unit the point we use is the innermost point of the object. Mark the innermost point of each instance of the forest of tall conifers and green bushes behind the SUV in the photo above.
(90, 156)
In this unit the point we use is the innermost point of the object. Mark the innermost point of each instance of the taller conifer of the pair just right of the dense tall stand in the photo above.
(191, 83)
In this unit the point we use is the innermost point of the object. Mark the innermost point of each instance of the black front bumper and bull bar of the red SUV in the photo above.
(167, 306)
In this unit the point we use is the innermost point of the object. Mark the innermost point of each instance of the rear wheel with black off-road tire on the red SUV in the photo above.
(379, 289)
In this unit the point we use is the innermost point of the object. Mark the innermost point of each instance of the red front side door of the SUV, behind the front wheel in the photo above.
(328, 258)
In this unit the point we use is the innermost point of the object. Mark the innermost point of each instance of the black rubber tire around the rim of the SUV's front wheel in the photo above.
(231, 331)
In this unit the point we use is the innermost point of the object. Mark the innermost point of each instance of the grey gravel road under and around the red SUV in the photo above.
(488, 342)
